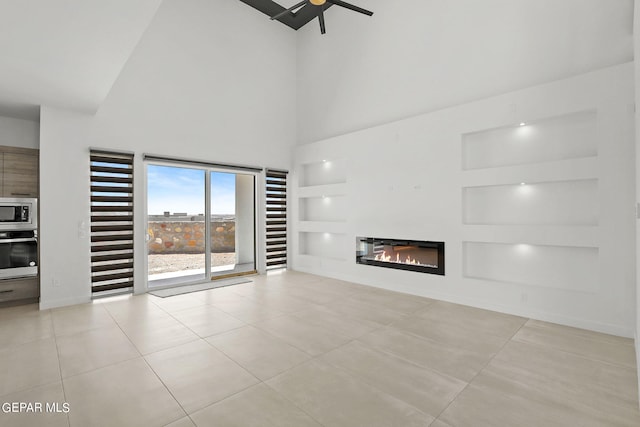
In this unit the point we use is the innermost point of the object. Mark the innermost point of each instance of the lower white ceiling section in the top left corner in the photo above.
(65, 53)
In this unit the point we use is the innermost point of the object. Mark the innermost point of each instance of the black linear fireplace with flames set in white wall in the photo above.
(412, 255)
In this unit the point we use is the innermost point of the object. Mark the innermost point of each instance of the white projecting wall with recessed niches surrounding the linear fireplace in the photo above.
(408, 180)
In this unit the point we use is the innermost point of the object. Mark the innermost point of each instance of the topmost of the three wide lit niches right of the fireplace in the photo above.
(558, 138)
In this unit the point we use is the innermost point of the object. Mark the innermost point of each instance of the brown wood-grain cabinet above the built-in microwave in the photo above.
(19, 171)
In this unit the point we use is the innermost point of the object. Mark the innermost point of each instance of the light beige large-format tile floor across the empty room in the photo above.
(296, 350)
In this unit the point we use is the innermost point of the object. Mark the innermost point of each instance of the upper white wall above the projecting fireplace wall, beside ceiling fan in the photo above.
(416, 56)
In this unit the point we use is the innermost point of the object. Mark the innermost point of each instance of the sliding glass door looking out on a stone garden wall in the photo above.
(195, 211)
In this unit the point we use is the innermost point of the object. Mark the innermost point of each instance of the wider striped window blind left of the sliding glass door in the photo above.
(111, 221)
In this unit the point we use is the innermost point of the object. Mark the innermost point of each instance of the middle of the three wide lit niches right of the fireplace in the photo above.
(570, 203)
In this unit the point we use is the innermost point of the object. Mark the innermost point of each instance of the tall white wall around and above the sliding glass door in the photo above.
(200, 85)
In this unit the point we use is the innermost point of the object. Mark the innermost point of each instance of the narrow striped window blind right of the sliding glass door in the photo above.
(276, 226)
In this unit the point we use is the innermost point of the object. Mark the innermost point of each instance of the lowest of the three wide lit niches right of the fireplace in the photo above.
(558, 267)
